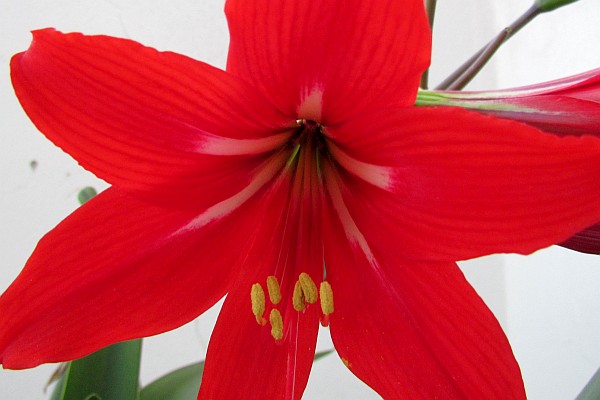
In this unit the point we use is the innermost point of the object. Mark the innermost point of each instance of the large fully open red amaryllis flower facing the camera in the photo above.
(304, 185)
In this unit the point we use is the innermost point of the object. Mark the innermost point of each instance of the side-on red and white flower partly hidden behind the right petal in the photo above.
(564, 106)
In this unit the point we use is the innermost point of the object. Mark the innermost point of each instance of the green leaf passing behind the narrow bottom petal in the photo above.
(184, 383)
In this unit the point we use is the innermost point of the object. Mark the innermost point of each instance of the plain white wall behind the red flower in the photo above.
(549, 302)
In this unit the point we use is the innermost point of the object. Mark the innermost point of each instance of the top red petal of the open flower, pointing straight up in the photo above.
(326, 61)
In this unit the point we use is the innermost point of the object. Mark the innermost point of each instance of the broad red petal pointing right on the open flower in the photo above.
(461, 185)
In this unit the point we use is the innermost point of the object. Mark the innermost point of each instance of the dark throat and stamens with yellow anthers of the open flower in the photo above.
(292, 288)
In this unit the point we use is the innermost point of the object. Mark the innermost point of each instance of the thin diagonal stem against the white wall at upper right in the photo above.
(470, 68)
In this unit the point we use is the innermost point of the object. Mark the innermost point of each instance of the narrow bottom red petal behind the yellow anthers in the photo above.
(244, 360)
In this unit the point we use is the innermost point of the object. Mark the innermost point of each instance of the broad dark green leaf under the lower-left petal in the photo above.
(108, 374)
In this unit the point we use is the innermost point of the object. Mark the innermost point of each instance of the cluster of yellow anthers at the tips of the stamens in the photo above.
(305, 293)
